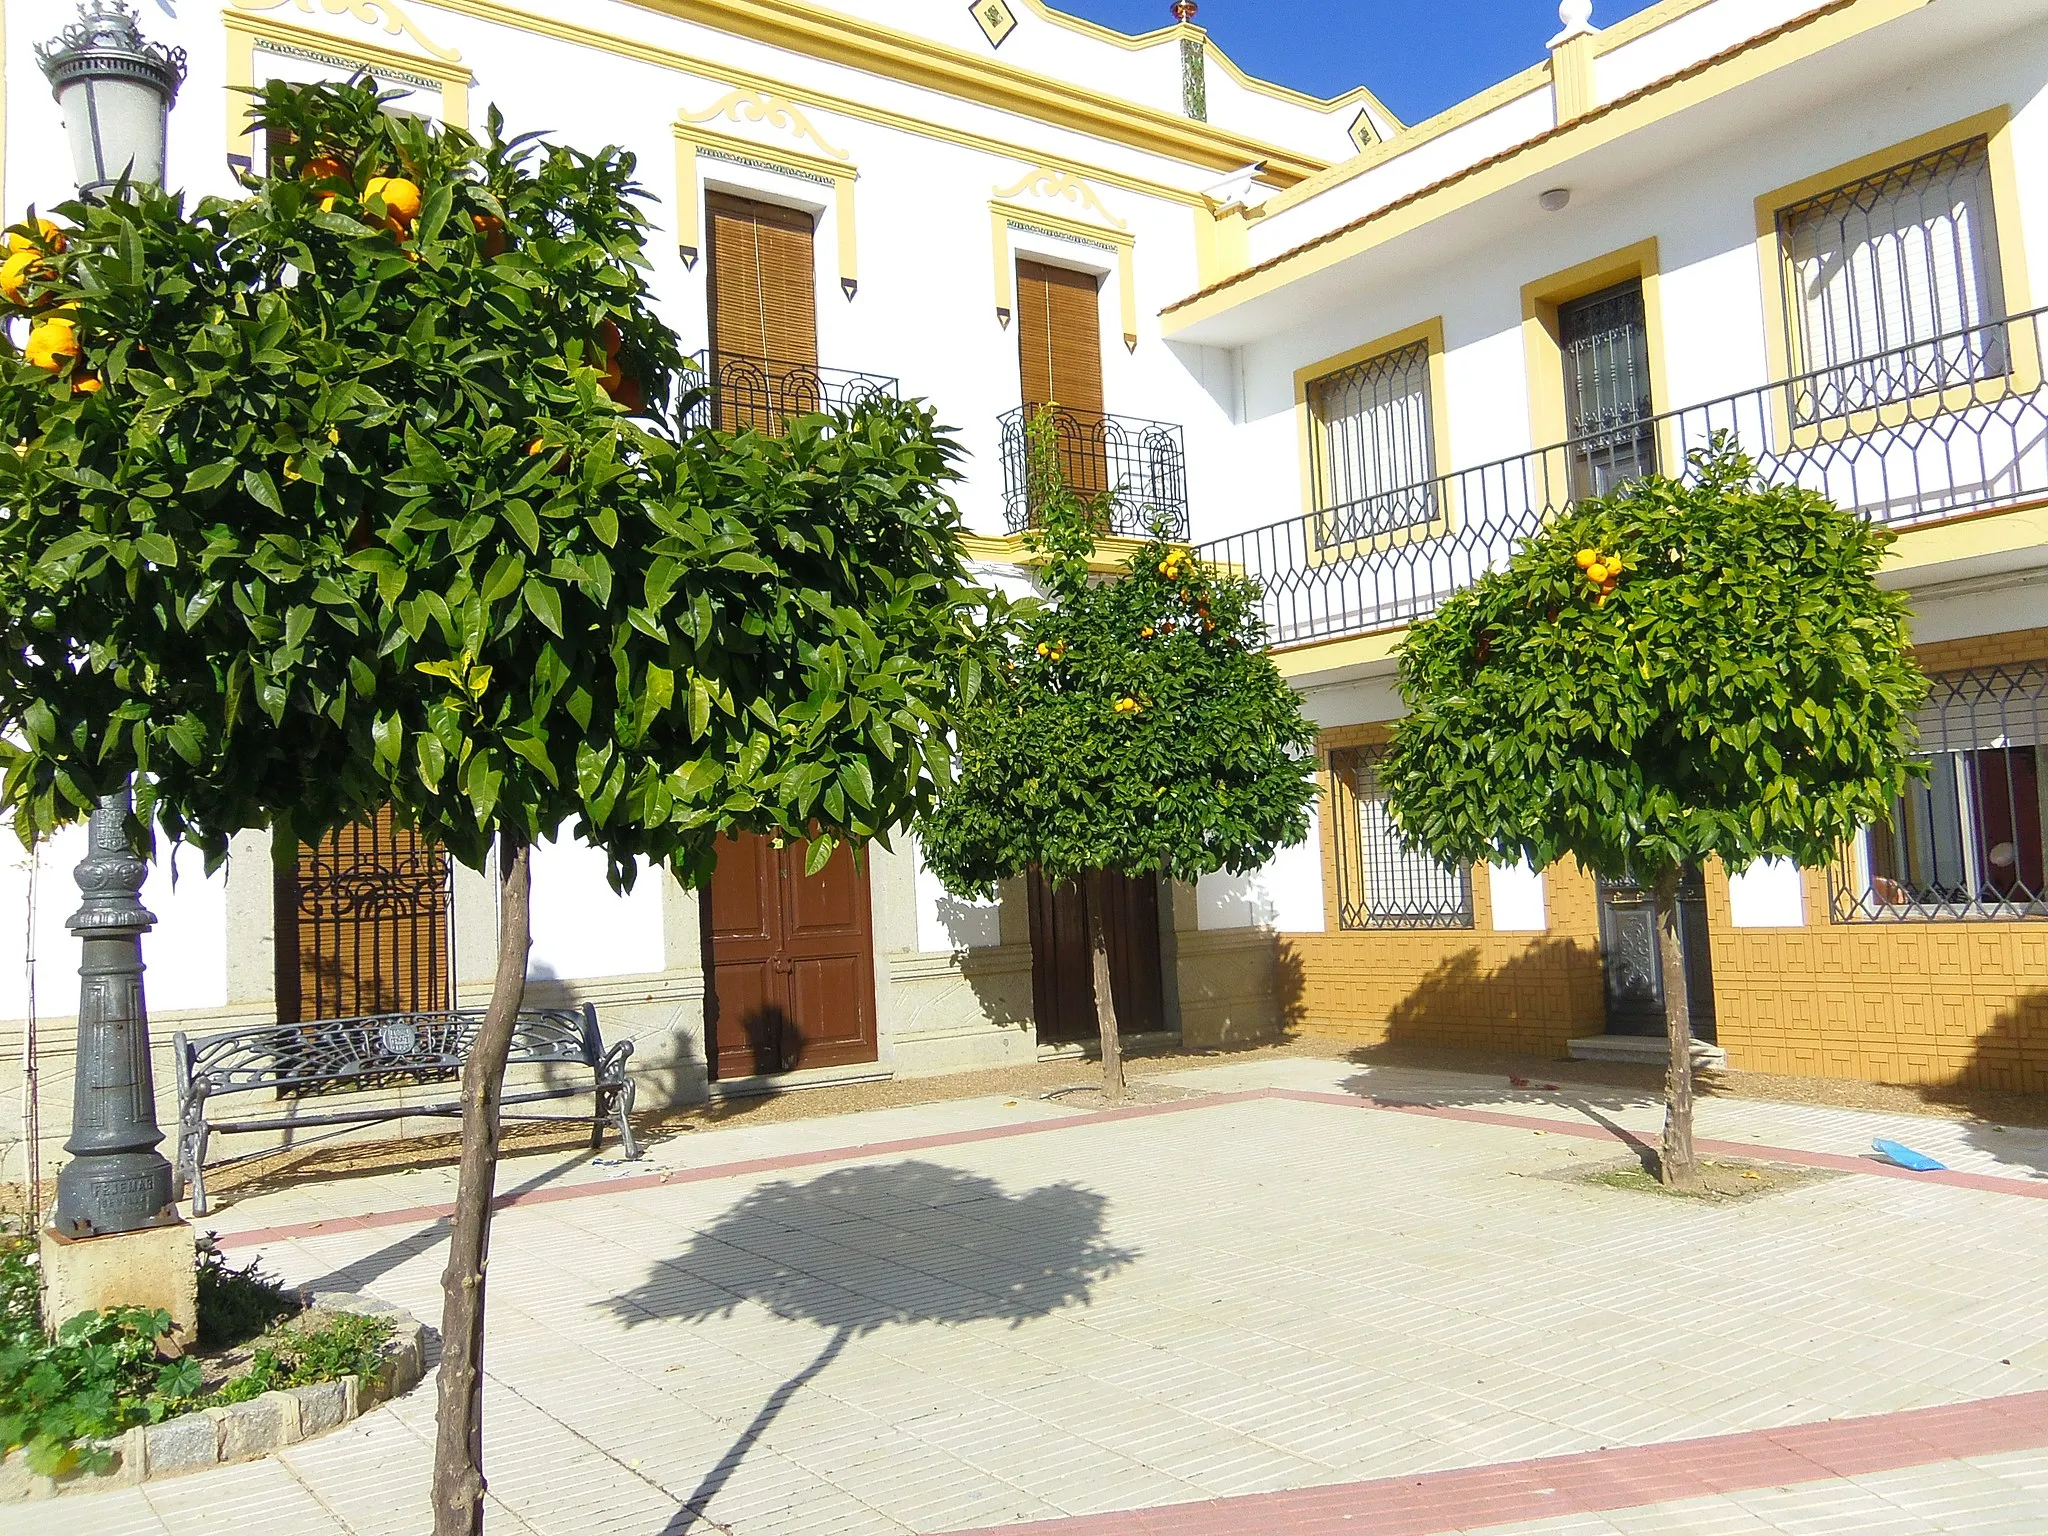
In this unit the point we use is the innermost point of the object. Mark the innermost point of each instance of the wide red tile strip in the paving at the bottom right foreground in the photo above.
(1594, 1482)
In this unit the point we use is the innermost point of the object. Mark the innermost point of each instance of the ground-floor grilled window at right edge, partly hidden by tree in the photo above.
(1967, 841)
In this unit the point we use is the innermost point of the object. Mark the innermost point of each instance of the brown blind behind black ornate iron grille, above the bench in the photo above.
(364, 927)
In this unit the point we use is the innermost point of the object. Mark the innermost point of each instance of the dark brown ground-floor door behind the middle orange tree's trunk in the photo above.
(1064, 976)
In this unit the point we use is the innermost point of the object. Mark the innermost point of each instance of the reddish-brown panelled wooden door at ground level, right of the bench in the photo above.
(792, 962)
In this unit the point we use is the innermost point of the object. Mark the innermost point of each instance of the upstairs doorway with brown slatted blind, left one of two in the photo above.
(763, 312)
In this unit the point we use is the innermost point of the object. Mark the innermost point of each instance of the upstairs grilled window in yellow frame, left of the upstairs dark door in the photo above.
(1373, 447)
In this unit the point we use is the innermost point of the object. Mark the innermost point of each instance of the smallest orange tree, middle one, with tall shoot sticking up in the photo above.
(1127, 724)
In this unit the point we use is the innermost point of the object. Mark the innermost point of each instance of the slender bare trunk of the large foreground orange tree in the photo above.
(460, 1441)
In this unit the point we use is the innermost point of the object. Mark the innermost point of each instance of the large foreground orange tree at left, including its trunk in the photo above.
(329, 499)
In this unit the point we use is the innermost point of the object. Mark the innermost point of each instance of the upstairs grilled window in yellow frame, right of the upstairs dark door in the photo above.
(1893, 284)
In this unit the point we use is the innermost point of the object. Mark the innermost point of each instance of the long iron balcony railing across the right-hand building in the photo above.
(1922, 433)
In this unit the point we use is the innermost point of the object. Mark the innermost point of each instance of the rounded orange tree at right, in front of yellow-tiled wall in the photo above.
(1682, 671)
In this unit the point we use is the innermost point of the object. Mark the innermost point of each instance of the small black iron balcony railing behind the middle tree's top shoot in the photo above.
(1140, 466)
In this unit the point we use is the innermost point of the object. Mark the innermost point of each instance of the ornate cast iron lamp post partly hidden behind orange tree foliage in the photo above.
(116, 93)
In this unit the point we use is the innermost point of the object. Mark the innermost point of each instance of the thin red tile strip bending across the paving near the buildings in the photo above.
(595, 1189)
